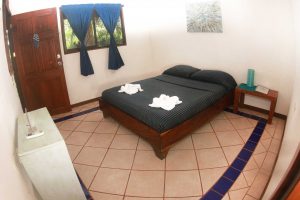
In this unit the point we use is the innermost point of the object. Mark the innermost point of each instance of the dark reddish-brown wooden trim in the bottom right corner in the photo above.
(290, 179)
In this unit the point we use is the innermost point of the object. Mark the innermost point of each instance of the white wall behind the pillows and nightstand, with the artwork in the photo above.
(256, 34)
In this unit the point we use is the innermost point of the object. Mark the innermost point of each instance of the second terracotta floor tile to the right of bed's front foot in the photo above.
(210, 158)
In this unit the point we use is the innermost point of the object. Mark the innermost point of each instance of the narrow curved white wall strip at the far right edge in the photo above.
(291, 138)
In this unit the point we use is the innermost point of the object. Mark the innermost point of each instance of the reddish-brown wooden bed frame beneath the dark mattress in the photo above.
(162, 142)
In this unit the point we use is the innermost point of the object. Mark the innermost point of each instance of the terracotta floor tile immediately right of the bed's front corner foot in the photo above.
(181, 160)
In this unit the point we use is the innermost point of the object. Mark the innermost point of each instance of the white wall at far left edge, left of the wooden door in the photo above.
(13, 183)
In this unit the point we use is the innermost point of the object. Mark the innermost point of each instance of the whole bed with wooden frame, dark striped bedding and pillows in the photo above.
(204, 93)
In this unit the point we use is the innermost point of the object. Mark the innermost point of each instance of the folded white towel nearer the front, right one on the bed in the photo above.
(165, 102)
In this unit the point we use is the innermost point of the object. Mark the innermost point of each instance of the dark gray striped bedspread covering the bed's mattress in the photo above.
(195, 97)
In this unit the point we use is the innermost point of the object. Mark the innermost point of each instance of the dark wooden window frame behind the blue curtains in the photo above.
(75, 50)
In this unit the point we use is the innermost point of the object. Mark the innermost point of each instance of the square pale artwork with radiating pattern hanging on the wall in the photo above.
(204, 16)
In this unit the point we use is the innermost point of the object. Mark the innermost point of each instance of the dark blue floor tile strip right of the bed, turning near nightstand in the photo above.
(221, 187)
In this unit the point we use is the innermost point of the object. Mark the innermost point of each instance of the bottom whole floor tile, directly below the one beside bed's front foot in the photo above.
(182, 184)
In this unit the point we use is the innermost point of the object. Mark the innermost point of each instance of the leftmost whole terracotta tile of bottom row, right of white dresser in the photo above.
(111, 181)
